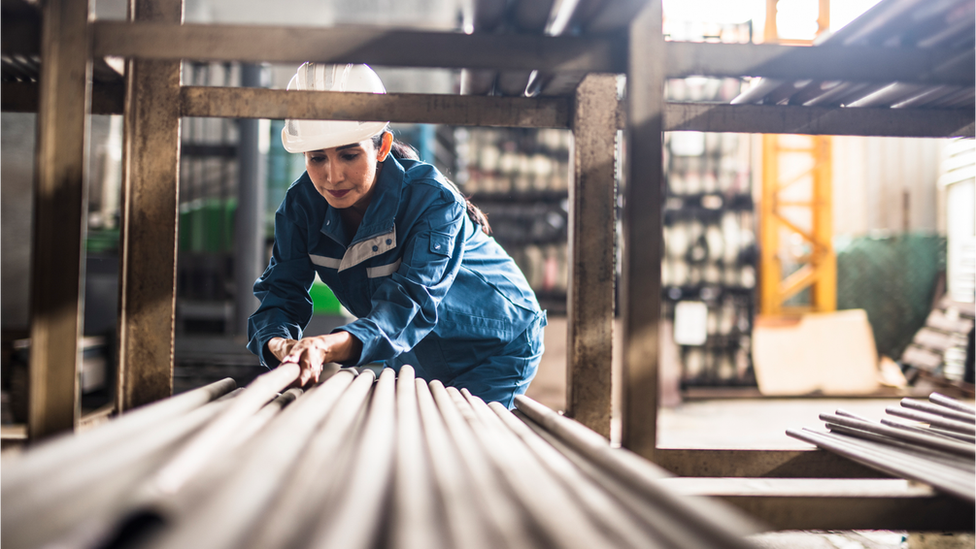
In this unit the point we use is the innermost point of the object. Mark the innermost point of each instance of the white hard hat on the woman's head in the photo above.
(310, 135)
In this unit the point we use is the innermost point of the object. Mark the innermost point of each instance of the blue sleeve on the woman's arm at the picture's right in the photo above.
(404, 306)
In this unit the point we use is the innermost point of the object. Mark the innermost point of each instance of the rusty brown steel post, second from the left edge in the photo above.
(150, 199)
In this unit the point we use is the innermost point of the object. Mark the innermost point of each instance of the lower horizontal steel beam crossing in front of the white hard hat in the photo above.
(397, 107)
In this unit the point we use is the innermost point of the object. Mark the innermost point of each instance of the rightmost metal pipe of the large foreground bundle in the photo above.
(713, 522)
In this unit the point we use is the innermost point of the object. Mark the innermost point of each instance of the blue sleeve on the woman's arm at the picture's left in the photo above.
(286, 306)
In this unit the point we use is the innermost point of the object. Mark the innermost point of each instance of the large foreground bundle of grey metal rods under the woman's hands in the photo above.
(353, 462)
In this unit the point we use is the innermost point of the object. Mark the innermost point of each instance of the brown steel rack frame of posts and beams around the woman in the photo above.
(152, 100)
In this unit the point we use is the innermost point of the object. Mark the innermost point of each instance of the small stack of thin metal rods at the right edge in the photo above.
(938, 446)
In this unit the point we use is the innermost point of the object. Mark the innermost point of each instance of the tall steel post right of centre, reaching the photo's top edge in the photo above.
(643, 238)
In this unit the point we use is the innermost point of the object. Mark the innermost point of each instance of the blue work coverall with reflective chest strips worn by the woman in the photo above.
(428, 286)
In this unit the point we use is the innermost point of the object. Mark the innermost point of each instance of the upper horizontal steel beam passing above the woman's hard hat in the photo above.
(376, 46)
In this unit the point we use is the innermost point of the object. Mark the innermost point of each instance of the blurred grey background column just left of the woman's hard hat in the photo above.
(249, 254)
